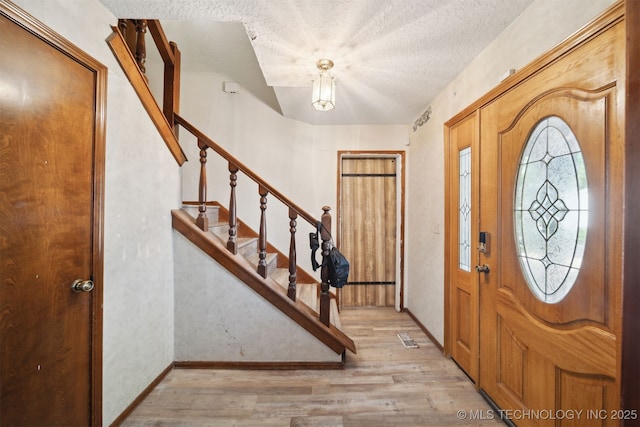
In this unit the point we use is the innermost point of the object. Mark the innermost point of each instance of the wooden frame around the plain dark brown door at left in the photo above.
(41, 31)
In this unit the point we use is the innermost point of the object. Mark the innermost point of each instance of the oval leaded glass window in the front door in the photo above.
(551, 210)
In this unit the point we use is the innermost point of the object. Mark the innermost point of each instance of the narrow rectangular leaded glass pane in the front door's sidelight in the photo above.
(464, 210)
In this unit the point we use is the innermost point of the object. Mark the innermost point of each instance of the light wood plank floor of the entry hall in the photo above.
(385, 384)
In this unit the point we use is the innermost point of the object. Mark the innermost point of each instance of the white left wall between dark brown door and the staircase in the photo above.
(141, 187)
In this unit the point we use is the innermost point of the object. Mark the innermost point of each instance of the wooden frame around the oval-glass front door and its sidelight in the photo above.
(630, 12)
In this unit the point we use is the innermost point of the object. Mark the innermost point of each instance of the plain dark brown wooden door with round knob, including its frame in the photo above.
(50, 227)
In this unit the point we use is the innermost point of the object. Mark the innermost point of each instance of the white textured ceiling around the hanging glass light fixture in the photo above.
(392, 57)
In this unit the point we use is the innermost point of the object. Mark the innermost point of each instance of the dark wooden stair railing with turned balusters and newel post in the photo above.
(264, 189)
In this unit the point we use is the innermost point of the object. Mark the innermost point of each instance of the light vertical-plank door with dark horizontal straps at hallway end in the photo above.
(368, 219)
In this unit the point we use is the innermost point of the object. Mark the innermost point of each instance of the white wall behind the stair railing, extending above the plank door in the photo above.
(298, 159)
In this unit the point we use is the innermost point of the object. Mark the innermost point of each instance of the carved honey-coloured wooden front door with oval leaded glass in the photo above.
(551, 184)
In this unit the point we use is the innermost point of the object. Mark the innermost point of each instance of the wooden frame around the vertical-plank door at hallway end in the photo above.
(399, 156)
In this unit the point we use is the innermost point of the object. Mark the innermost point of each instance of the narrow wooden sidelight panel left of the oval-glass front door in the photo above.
(462, 244)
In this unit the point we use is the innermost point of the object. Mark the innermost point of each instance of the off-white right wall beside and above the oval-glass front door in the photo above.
(539, 28)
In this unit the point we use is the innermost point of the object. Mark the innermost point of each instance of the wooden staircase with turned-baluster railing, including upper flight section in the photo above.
(216, 230)
